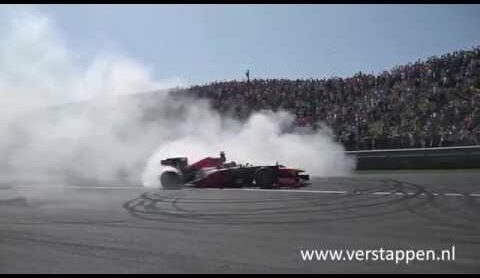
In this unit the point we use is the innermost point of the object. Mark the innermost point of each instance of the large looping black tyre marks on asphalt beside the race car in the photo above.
(186, 206)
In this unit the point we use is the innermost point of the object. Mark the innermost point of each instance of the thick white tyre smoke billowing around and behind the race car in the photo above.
(110, 121)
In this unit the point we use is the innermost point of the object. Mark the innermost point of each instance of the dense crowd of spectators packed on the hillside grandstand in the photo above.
(431, 103)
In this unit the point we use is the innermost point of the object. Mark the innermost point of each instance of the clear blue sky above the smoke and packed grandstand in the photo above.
(203, 43)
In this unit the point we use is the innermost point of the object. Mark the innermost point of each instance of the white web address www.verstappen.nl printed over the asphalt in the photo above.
(381, 254)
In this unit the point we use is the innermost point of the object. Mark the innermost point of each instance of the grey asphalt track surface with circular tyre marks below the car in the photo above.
(102, 228)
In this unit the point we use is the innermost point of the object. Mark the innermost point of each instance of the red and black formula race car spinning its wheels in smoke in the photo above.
(214, 172)
